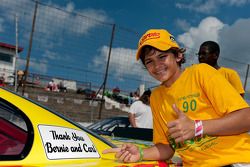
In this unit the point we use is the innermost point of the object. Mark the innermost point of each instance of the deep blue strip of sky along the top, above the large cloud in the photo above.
(176, 16)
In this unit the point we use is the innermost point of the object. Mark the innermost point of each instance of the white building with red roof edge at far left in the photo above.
(7, 61)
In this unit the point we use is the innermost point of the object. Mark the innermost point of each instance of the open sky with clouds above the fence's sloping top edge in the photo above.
(191, 22)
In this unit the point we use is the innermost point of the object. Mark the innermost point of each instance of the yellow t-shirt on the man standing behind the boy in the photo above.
(233, 77)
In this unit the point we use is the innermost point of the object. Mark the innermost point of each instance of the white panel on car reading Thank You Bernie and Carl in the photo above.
(66, 143)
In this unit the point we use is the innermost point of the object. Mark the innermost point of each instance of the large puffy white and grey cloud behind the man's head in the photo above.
(233, 40)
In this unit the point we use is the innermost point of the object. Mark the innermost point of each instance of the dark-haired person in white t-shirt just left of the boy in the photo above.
(140, 115)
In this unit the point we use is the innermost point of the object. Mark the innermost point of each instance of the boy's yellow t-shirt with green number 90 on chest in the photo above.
(202, 94)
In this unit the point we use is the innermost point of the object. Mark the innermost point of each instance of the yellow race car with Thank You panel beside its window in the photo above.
(32, 135)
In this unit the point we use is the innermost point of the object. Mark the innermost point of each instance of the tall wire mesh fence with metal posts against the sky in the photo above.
(60, 43)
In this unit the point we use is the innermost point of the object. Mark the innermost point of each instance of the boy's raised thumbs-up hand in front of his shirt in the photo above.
(181, 129)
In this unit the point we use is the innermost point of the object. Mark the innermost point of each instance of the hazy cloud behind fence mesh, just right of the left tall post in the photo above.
(54, 20)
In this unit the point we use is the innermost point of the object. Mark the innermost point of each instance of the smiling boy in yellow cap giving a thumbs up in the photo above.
(196, 112)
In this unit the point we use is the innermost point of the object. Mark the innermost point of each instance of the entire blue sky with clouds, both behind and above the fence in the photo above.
(191, 22)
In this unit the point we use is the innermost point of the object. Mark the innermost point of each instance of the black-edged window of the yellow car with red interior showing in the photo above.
(15, 139)
